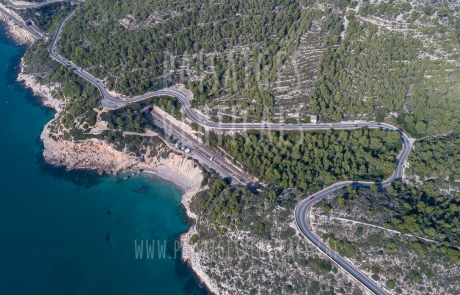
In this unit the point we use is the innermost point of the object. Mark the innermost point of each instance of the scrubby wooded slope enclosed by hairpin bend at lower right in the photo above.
(426, 224)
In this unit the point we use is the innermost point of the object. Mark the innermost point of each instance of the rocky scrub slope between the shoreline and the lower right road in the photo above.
(244, 240)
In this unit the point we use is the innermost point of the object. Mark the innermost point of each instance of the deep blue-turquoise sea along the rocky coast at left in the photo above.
(74, 232)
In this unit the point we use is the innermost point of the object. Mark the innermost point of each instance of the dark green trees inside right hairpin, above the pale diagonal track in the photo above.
(420, 211)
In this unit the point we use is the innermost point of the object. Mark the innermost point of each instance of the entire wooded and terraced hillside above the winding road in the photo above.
(392, 61)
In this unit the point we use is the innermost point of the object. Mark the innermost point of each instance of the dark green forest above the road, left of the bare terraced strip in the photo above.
(241, 43)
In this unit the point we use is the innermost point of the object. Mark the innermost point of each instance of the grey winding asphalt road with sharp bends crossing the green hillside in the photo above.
(110, 101)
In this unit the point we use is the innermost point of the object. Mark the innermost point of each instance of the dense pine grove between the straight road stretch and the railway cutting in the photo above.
(300, 160)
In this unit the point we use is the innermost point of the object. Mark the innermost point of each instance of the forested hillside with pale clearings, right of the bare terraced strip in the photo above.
(398, 63)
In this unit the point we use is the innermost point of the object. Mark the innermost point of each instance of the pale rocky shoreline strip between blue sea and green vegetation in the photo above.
(98, 155)
